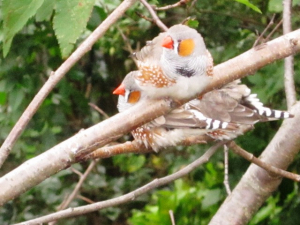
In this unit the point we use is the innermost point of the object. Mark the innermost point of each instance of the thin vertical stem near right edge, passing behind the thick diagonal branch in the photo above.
(289, 61)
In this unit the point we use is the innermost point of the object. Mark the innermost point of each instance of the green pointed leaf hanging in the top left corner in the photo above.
(15, 15)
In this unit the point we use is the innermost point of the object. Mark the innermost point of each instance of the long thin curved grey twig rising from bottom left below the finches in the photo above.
(71, 212)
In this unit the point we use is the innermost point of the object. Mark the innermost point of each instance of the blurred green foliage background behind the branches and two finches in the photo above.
(36, 35)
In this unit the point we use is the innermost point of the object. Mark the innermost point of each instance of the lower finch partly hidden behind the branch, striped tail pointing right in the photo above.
(221, 114)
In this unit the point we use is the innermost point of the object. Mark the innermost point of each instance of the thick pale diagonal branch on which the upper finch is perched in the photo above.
(62, 155)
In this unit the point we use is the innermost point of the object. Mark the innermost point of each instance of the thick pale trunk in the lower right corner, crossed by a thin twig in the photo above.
(257, 184)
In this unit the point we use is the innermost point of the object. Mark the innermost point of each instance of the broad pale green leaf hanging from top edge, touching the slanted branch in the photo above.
(70, 20)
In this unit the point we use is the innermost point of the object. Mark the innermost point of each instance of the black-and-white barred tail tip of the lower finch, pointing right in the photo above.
(271, 114)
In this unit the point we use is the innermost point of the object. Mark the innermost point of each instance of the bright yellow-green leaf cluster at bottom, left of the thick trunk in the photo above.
(191, 202)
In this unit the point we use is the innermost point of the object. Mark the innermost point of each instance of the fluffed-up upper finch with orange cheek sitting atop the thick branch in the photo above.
(174, 60)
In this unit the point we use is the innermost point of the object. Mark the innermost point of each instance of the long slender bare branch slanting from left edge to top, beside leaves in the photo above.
(56, 76)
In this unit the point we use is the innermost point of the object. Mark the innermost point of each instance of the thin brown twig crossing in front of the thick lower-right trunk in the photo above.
(272, 169)
